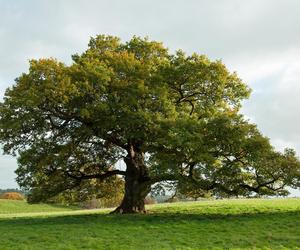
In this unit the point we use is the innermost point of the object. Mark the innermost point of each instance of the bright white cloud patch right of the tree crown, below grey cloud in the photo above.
(275, 102)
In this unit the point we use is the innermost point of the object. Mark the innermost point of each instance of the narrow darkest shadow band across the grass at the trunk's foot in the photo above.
(151, 218)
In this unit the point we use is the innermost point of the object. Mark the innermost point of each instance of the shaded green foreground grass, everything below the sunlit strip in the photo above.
(271, 230)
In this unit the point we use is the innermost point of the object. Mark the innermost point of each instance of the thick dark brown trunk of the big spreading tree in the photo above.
(137, 184)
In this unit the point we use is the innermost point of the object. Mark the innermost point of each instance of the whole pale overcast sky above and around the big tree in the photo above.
(258, 39)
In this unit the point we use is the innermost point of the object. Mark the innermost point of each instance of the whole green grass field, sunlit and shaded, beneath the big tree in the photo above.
(229, 224)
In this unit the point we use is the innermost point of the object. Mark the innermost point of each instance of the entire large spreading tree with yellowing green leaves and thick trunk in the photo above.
(166, 116)
